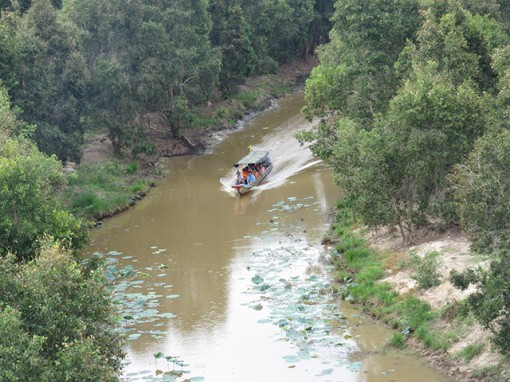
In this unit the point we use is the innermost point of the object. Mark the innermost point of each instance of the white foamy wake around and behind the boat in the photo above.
(288, 155)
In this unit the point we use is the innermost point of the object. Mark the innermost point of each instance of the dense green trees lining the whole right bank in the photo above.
(413, 98)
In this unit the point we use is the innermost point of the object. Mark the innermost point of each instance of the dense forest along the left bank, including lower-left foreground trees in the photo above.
(68, 67)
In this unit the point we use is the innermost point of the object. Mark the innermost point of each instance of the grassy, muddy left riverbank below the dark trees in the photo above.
(102, 186)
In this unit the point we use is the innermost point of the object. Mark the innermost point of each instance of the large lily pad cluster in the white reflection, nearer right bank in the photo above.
(298, 304)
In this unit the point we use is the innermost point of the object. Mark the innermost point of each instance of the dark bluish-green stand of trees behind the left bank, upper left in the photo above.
(73, 64)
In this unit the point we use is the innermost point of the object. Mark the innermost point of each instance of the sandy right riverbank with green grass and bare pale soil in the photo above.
(408, 289)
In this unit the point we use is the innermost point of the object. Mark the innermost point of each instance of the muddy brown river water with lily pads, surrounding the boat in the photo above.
(214, 287)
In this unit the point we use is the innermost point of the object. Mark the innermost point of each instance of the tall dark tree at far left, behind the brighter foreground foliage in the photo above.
(50, 76)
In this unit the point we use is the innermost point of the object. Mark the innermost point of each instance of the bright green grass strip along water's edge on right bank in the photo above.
(359, 270)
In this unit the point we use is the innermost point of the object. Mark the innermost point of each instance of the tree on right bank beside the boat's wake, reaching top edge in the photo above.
(366, 39)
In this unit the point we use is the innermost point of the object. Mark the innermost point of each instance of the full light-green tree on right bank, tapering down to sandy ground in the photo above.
(431, 126)
